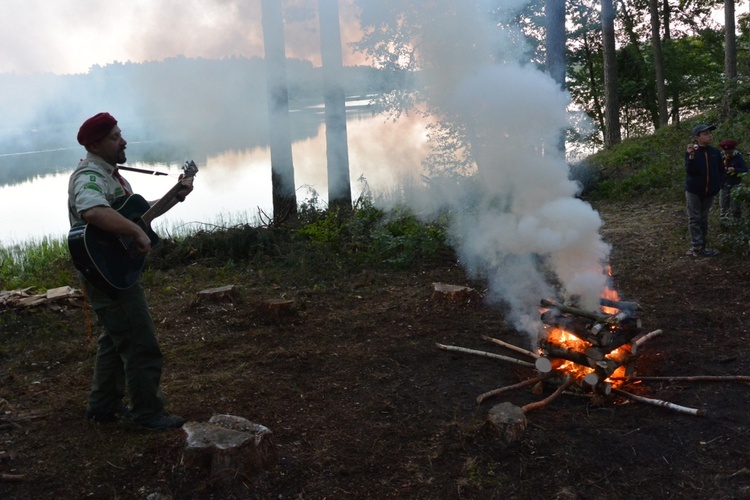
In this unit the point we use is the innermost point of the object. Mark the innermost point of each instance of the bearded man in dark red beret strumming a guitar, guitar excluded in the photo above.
(128, 353)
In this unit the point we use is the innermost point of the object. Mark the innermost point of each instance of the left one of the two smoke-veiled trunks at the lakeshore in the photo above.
(282, 167)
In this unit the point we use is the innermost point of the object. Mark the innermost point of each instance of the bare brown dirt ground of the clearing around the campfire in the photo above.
(363, 405)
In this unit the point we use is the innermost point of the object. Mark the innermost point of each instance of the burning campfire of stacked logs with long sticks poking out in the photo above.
(590, 353)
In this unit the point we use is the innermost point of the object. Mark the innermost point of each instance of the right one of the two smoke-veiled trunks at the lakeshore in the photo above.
(337, 152)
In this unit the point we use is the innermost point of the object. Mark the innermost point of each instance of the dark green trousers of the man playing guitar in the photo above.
(128, 355)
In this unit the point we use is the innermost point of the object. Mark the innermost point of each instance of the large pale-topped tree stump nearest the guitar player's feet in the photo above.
(229, 447)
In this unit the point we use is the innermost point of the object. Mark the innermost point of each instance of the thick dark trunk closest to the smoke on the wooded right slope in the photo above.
(612, 134)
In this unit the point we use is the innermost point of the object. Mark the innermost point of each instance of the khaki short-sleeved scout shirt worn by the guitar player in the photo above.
(94, 183)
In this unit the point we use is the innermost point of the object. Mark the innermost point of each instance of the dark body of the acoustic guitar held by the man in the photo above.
(108, 261)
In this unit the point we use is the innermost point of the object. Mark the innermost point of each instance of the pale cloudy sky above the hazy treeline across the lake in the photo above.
(71, 36)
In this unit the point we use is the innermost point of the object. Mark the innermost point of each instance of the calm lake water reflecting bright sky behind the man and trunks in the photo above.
(230, 187)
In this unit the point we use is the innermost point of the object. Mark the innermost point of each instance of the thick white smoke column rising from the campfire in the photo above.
(527, 233)
